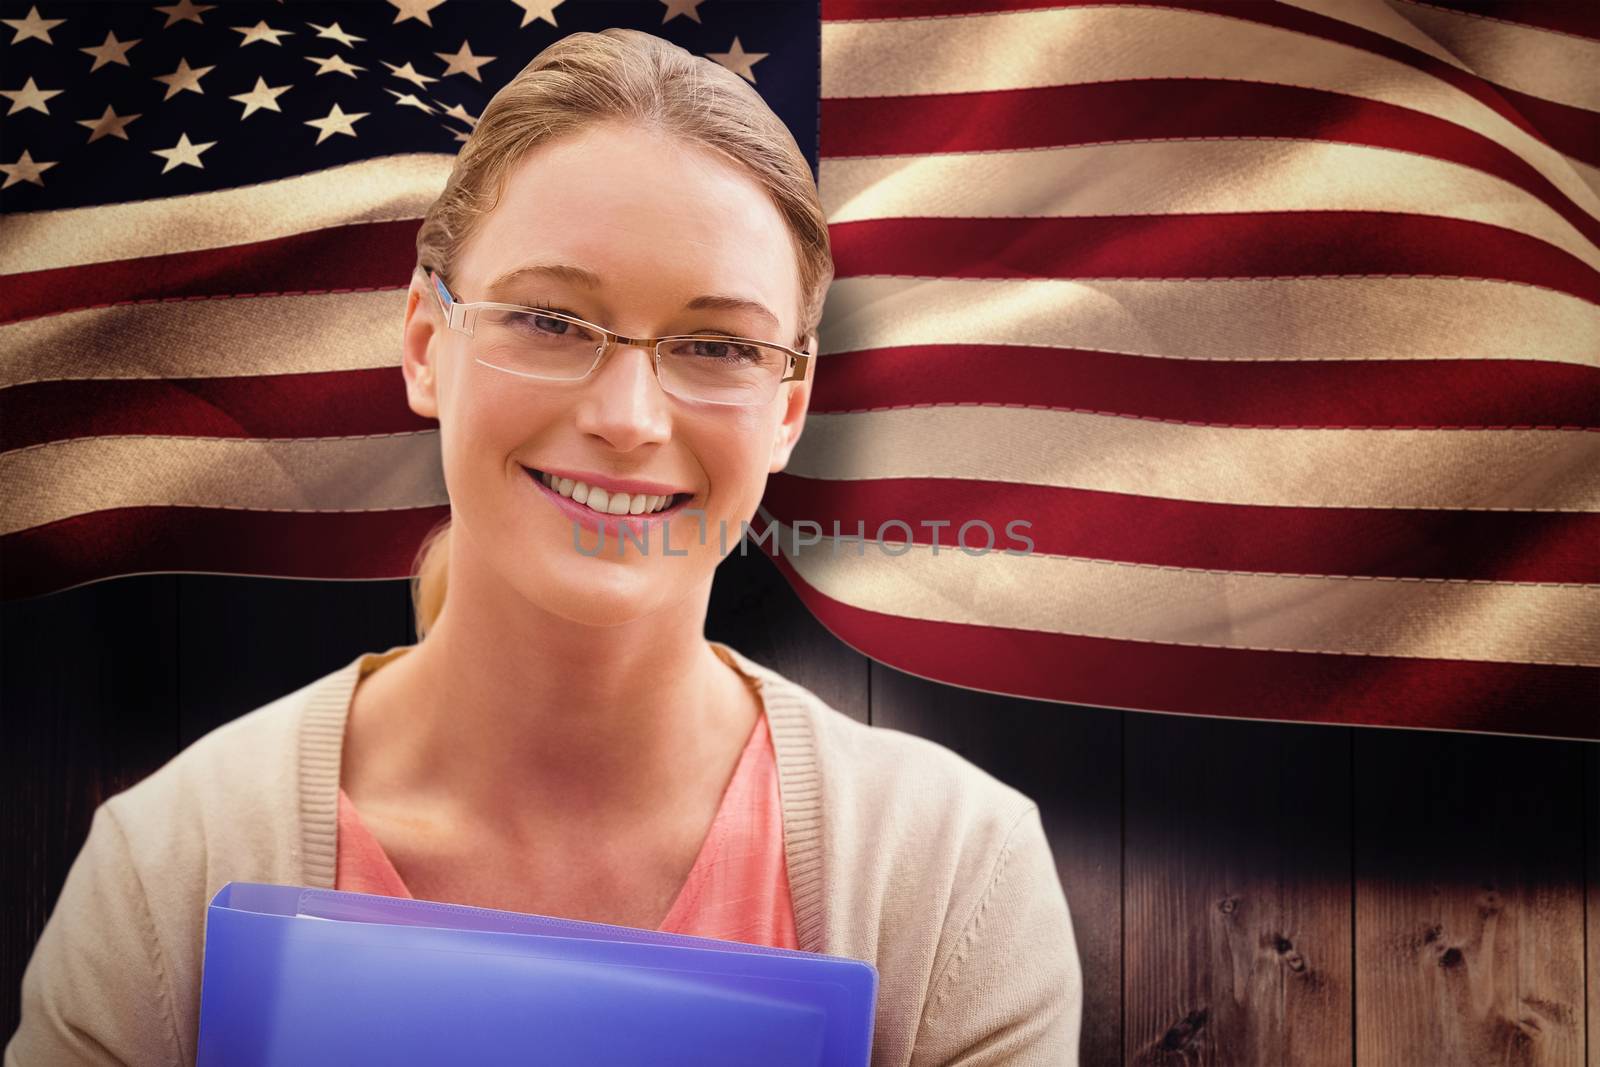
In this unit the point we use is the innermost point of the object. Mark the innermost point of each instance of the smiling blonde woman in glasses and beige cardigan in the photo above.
(562, 740)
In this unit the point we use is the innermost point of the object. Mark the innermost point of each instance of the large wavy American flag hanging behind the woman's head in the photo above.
(1276, 322)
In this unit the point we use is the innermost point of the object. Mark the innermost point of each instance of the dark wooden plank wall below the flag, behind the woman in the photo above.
(1244, 893)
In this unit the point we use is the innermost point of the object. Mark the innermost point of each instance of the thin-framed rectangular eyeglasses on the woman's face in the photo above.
(554, 346)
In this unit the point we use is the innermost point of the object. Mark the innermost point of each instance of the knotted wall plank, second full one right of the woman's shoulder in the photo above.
(1238, 853)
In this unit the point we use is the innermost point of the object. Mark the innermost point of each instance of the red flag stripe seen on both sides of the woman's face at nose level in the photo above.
(1310, 394)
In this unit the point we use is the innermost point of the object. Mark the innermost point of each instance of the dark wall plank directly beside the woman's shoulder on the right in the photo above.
(1070, 761)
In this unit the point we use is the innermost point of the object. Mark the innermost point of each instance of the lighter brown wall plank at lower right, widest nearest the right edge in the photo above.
(1470, 901)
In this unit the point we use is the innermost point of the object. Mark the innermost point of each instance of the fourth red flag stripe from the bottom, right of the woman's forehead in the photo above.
(1225, 246)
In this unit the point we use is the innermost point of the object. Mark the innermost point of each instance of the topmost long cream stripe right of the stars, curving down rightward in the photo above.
(1081, 46)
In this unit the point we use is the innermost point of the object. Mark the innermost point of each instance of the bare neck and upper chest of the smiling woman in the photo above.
(510, 711)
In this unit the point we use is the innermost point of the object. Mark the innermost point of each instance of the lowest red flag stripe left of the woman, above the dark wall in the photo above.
(186, 540)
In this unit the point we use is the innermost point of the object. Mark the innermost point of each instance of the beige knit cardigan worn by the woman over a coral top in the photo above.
(898, 852)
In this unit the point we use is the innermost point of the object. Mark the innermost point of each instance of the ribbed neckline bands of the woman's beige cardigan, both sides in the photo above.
(791, 716)
